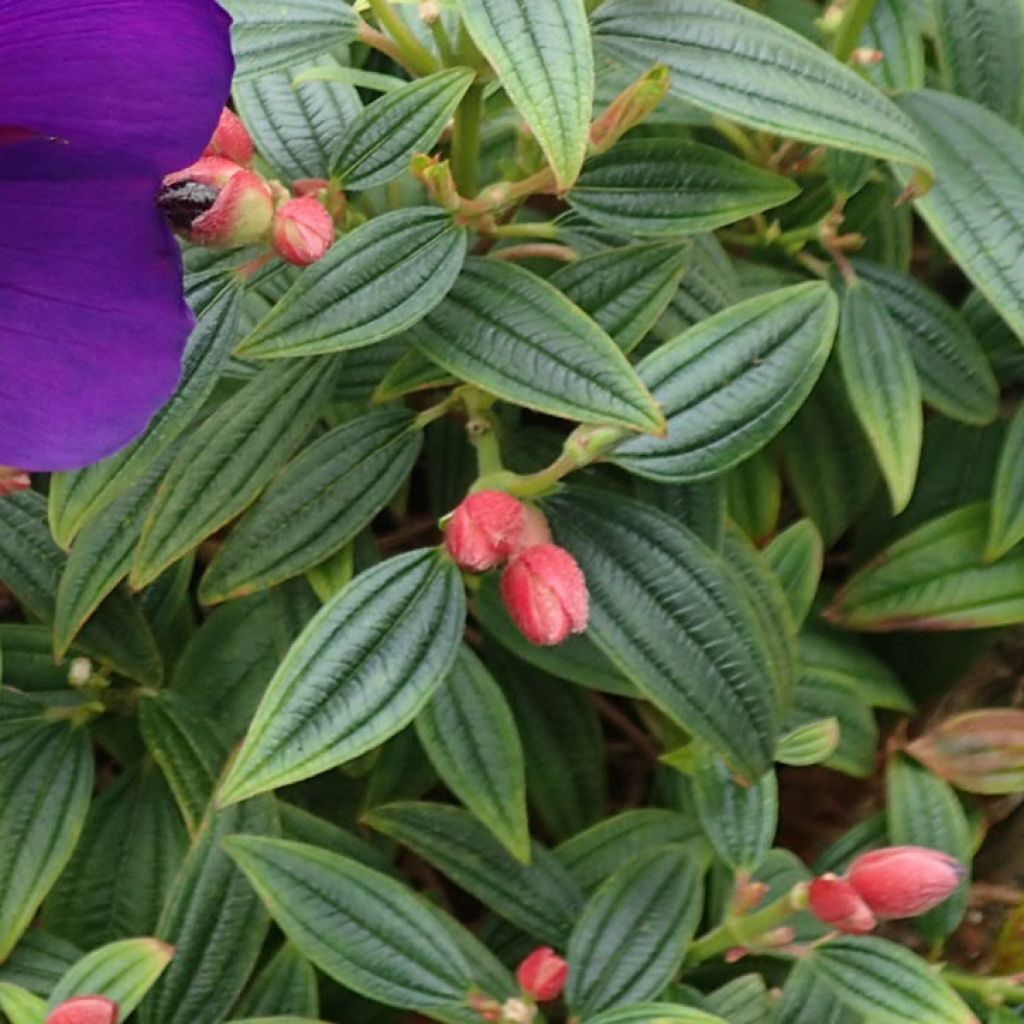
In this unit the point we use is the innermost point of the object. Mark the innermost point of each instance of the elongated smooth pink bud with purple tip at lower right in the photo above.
(905, 881)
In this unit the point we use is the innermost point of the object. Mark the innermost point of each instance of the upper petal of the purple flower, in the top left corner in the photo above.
(146, 77)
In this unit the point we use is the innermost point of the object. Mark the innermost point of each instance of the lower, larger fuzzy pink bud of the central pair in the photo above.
(545, 592)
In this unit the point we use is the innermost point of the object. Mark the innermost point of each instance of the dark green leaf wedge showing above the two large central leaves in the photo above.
(626, 290)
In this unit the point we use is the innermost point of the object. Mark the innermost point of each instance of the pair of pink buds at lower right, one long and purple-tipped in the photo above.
(895, 882)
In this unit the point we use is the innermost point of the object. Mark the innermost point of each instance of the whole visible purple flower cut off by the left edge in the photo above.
(99, 101)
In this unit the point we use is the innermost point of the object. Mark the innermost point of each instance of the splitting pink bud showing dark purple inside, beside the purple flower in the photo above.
(218, 203)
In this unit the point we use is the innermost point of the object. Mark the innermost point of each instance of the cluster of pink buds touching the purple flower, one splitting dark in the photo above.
(223, 203)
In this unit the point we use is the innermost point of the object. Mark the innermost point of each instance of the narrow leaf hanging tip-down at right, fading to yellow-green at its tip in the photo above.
(883, 389)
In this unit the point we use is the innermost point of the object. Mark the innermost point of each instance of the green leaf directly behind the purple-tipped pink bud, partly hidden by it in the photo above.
(923, 810)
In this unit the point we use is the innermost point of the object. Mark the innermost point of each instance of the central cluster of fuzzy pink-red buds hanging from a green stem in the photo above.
(543, 587)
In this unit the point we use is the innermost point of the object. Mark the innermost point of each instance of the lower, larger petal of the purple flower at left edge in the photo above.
(94, 321)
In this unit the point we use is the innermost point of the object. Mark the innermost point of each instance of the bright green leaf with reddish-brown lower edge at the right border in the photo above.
(936, 579)
